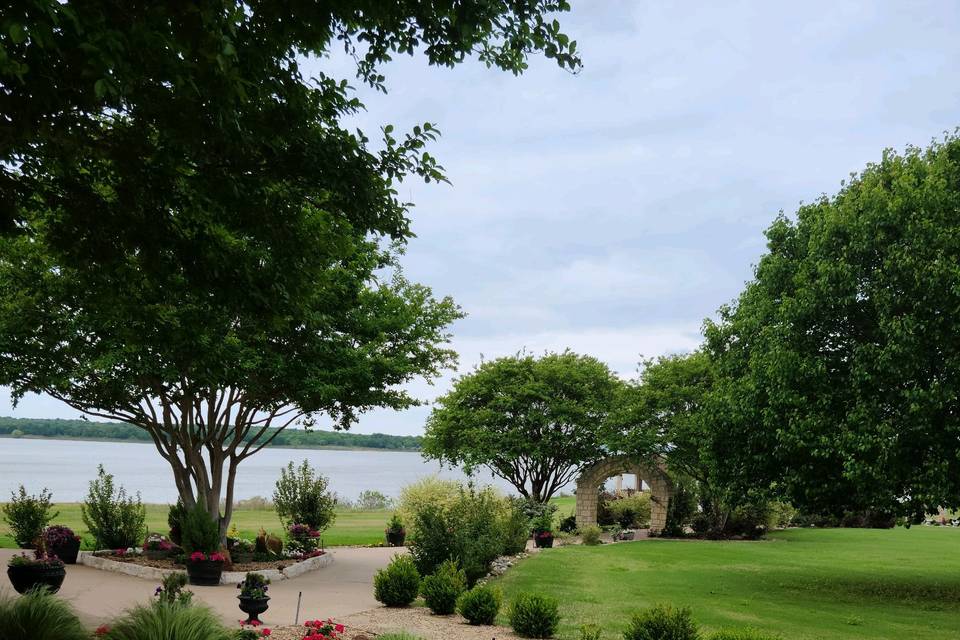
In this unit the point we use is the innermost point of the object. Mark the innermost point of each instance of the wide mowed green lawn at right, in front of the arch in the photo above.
(803, 584)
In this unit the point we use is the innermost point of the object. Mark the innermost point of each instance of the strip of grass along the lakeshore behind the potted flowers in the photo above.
(349, 528)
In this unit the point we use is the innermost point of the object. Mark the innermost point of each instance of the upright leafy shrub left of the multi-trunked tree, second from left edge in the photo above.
(115, 520)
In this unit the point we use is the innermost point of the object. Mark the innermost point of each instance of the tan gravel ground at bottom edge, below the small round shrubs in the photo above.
(419, 621)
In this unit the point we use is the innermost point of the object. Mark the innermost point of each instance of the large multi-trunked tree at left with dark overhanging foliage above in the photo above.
(193, 243)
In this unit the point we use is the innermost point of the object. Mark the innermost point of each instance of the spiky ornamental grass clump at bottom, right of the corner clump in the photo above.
(164, 620)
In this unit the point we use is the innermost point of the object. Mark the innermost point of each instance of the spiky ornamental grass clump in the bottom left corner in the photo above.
(39, 614)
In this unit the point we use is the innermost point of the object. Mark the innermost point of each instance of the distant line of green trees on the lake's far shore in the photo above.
(55, 428)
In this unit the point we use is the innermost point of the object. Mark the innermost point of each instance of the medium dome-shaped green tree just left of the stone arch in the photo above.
(535, 422)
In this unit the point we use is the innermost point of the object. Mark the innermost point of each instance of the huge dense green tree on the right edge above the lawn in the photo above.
(838, 368)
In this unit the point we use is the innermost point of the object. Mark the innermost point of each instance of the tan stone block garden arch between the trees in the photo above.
(651, 472)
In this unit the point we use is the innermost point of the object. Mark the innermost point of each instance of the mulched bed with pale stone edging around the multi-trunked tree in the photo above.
(142, 567)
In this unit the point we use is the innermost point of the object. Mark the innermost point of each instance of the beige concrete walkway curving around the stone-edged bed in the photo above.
(342, 588)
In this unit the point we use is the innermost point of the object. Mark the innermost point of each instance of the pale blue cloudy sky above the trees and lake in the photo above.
(613, 210)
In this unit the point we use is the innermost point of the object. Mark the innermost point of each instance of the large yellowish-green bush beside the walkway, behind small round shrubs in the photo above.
(467, 531)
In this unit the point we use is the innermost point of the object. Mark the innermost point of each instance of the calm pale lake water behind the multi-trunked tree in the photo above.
(65, 467)
